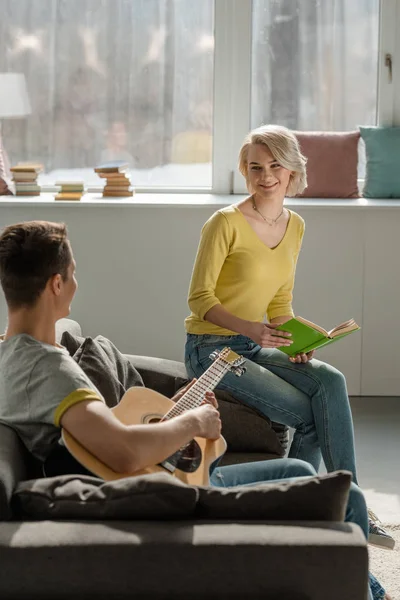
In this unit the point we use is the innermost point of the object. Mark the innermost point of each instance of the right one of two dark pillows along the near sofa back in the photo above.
(321, 498)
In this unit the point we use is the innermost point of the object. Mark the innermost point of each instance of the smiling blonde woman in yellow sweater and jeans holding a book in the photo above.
(241, 290)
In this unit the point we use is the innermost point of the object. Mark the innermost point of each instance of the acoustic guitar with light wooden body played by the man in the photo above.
(191, 463)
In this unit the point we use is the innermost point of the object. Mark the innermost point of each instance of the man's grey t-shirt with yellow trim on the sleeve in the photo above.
(38, 383)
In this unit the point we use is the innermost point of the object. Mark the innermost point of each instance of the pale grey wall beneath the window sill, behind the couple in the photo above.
(134, 264)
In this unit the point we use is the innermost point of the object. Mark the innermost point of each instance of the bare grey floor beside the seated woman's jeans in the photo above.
(377, 434)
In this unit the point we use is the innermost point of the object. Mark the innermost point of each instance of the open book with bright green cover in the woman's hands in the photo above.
(308, 336)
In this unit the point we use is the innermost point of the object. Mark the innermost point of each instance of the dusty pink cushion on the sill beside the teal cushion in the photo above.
(332, 163)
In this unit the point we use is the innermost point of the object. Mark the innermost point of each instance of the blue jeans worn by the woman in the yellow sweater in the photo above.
(311, 398)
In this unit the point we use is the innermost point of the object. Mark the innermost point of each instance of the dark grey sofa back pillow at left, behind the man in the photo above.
(158, 496)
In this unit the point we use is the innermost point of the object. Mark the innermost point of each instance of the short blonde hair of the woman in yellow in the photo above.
(284, 147)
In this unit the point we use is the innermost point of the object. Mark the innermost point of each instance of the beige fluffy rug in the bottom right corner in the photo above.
(385, 564)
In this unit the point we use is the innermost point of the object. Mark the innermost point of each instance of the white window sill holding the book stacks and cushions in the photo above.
(193, 199)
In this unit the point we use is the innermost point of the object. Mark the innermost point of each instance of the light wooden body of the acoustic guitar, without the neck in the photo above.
(142, 406)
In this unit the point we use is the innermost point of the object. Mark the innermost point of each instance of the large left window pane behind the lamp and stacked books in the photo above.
(113, 79)
